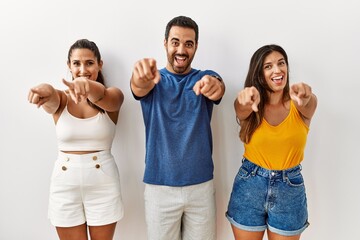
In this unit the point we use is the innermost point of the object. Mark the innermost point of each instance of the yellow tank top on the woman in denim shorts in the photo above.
(278, 147)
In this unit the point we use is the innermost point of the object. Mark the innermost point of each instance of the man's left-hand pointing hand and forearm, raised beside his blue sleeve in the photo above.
(145, 76)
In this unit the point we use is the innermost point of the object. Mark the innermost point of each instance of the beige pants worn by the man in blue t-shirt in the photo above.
(174, 213)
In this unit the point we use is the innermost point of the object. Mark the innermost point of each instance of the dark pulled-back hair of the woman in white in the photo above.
(86, 44)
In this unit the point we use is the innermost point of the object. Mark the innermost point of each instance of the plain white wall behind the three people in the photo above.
(321, 38)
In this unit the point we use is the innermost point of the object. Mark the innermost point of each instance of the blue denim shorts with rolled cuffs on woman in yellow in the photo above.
(268, 199)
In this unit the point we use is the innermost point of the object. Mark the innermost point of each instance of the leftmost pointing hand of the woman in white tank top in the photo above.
(46, 96)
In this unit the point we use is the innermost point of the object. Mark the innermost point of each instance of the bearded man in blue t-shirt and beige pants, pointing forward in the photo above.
(177, 103)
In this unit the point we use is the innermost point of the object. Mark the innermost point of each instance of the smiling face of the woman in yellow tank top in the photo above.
(275, 71)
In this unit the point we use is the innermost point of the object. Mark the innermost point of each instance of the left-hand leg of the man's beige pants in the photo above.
(163, 211)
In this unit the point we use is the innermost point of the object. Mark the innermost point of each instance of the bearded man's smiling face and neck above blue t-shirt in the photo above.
(180, 49)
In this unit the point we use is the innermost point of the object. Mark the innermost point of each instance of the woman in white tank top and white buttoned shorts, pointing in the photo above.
(85, 187)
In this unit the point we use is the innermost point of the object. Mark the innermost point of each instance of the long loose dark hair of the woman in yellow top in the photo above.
(255, 77)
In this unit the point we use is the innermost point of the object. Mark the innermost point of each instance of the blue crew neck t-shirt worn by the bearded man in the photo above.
(178, 131)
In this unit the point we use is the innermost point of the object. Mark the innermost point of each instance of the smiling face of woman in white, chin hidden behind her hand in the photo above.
(83, 63)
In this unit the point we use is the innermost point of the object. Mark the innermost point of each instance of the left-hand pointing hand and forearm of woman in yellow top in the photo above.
(246, 102)
